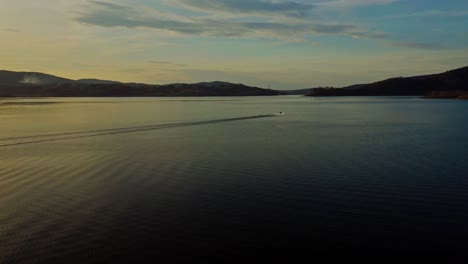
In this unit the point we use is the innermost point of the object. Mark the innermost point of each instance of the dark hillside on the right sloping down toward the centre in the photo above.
(424, 85)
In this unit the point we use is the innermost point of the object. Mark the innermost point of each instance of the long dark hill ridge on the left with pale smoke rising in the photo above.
(25, 84)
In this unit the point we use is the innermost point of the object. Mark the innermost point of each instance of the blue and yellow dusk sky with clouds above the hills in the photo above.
(281, 44)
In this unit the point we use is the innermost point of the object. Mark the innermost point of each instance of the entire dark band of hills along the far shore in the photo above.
(448, 85)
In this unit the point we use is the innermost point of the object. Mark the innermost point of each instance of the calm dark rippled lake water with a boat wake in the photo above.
(361, 176)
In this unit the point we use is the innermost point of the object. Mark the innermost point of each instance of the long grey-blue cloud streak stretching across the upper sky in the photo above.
(106, 14)
